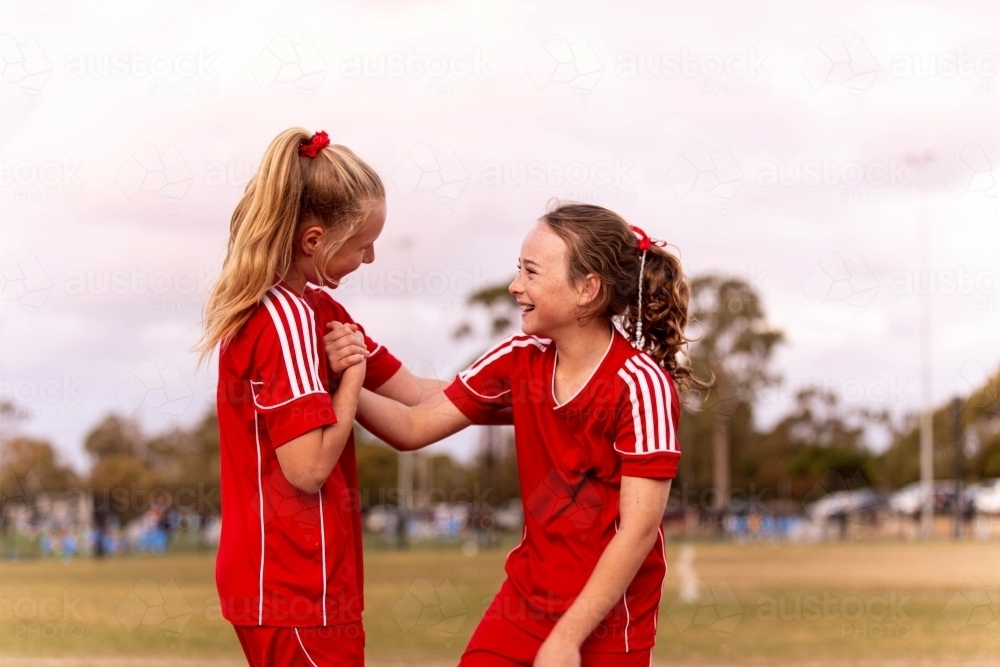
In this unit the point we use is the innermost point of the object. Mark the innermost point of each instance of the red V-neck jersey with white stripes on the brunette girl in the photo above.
(570, 459)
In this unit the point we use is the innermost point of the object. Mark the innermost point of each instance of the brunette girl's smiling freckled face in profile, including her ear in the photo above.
(549, 301)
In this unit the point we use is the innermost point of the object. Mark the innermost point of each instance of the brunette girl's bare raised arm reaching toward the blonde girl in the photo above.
(406, 428)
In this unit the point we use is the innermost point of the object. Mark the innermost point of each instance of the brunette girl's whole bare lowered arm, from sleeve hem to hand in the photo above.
(642, 503)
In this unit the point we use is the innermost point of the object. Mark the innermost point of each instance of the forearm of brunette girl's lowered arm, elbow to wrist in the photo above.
(610, 579)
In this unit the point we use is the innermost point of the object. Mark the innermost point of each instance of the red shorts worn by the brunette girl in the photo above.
(501, 642)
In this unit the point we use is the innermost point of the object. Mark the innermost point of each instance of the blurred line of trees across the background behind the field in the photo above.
(819, 445)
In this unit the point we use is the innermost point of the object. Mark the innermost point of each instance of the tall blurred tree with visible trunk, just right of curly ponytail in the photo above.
(734, 346)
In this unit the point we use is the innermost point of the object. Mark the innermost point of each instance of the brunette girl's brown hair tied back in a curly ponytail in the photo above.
(601, 243)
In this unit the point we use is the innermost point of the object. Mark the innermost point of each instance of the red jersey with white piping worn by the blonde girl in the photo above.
(287, 558)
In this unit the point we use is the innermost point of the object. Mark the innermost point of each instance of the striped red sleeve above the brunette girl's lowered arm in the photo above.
(647, 419)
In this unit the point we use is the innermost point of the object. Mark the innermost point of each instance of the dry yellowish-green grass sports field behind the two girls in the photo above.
(872, 603)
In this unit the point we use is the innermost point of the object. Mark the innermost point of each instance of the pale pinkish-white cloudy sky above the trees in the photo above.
(131, 176)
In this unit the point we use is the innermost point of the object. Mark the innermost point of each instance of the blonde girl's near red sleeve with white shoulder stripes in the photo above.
(287, 391)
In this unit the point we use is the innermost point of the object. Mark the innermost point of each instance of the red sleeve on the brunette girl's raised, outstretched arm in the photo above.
(484, 387)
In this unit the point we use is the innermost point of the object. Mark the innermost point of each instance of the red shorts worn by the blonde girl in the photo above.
(335, 645)
